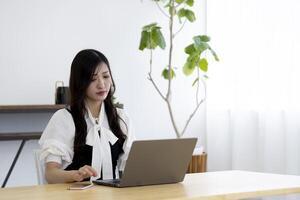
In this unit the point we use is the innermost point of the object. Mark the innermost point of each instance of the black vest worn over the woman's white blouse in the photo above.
(84, 155)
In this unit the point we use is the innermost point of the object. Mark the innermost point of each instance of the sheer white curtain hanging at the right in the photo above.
(253, 104)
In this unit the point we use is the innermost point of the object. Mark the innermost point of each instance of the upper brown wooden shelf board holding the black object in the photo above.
(30, 108)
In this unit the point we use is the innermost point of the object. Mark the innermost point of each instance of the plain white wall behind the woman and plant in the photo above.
(40, 38)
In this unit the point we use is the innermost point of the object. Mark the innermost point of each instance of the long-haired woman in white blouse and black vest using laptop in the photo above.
(92, 137)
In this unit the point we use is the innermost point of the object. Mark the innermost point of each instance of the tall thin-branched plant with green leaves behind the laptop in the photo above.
(151, 38)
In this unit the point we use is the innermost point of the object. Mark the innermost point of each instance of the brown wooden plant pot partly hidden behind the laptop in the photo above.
(197, 163)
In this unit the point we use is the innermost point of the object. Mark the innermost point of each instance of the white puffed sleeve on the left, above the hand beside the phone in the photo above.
(57, 139)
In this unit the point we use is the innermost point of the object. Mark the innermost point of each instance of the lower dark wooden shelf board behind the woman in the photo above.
(20, 136)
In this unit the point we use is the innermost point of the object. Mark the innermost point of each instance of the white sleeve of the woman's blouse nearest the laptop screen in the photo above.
(127, 128)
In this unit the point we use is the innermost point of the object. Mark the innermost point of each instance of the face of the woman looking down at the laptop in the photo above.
(101, 82)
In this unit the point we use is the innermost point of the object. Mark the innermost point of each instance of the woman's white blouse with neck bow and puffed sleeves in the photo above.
(57, 141)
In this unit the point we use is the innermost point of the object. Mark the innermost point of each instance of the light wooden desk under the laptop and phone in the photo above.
(210, 186)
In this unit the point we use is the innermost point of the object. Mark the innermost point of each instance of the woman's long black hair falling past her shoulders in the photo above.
(82, 69)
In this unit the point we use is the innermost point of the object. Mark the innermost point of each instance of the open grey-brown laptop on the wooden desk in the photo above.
(152, 162)
